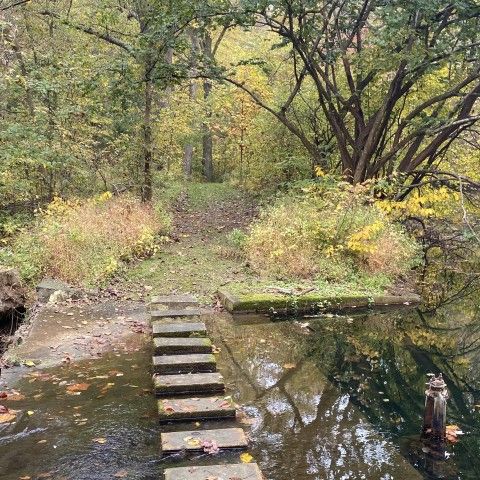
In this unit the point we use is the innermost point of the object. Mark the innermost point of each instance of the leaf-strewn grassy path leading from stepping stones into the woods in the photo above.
(199, 258)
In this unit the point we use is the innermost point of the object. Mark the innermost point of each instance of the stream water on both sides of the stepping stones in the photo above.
(340, 398)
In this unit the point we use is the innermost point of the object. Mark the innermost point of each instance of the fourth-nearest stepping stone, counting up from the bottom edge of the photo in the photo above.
(188, 383)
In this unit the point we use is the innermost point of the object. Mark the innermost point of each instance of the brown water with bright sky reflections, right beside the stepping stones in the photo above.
(314, 423)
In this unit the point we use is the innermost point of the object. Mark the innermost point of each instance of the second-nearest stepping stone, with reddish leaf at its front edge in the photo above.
(194, 440)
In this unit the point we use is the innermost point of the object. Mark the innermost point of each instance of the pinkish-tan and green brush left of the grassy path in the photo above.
(85, 242)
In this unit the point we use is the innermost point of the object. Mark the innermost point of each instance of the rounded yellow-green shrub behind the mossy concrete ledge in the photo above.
(330, 232)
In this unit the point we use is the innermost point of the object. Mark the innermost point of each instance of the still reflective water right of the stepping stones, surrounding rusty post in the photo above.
(347, 400)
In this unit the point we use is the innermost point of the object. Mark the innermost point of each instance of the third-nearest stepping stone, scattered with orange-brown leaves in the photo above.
(195, 408)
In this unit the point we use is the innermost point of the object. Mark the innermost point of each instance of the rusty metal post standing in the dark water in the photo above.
(435, 415)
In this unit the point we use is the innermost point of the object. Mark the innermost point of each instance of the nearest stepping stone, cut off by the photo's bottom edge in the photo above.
(240, 471)
